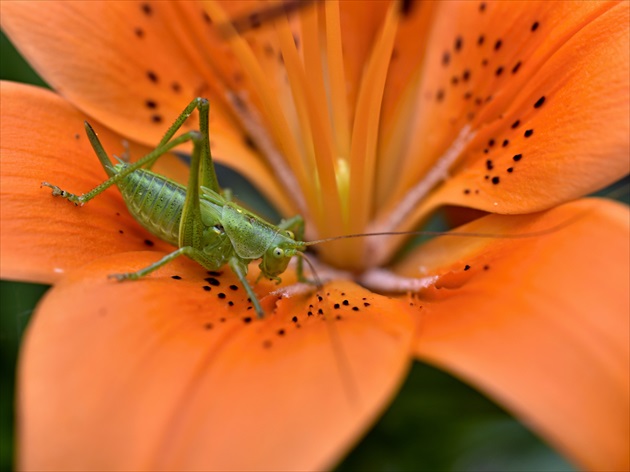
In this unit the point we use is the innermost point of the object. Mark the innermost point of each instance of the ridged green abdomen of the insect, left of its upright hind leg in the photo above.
(155, 202)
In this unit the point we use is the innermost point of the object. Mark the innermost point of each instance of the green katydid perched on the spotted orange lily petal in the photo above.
(200, 219)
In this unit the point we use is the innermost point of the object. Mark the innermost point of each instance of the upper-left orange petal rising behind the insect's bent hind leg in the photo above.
(135, 68)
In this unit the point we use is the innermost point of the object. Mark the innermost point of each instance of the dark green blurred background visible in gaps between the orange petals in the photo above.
(436, 423)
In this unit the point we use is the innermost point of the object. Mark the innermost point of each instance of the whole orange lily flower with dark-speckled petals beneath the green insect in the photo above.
(363, 118)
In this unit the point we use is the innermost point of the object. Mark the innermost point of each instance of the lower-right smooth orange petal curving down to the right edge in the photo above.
(540, 323)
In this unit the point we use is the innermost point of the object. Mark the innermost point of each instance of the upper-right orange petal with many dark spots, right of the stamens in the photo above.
(554, 73)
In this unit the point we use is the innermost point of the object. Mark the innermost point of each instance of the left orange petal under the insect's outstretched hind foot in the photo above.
(43, 139)
